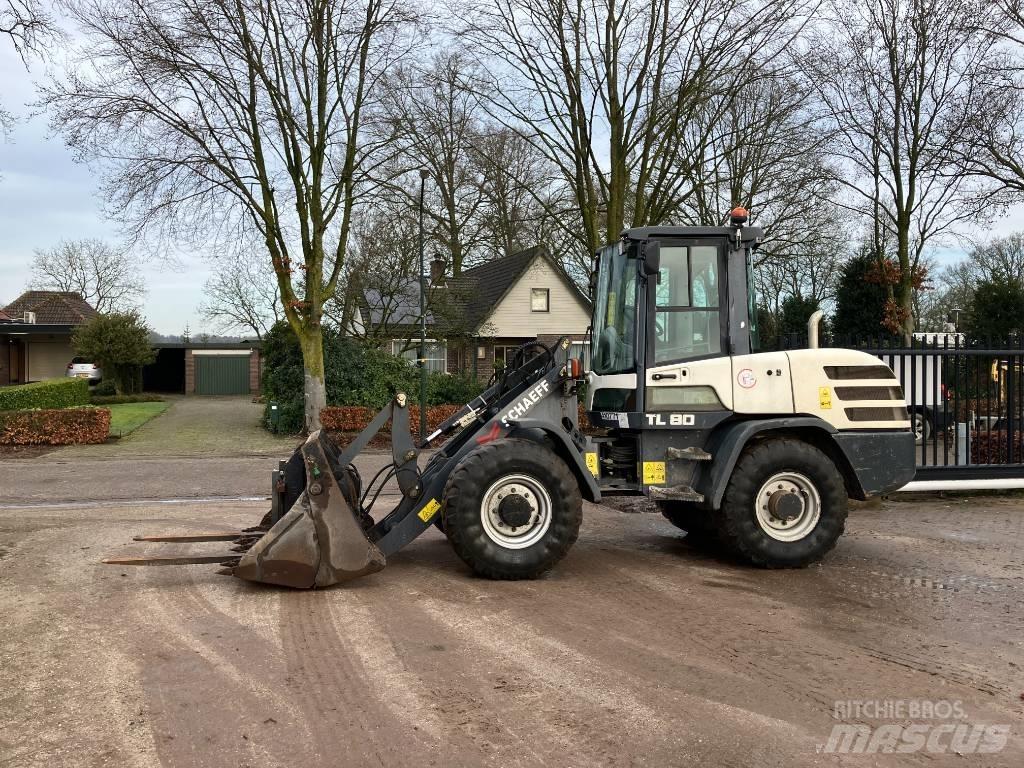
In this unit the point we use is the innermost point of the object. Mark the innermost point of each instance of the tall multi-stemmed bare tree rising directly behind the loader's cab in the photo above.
(605, 90)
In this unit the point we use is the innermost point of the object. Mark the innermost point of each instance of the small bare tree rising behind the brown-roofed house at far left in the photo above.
(106, 277)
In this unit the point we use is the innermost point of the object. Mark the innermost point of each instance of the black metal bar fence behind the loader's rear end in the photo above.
(966, 402)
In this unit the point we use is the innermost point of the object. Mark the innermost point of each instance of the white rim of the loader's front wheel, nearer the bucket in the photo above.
(531, 497)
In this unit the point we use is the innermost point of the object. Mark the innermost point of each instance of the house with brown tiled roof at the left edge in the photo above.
(35, 335)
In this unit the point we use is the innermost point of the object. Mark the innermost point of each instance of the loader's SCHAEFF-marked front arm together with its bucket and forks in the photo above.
(320, 531)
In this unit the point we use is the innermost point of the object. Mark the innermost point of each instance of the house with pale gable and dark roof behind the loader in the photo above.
(479, 319)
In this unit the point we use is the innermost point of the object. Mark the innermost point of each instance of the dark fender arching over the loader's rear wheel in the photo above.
(729, 442)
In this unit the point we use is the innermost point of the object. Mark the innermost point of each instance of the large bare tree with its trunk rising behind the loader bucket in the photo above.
(240, 111)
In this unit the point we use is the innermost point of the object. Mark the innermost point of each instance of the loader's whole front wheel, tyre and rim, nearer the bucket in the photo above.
(513, 509)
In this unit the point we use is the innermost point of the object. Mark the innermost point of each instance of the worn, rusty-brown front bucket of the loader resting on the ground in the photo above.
(321, 540)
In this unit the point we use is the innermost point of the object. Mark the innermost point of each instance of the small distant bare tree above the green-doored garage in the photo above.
(243, 294)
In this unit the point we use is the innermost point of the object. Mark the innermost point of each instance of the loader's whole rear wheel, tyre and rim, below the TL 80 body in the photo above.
(786, 505)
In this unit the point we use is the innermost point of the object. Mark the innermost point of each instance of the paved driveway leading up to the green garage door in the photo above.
(194, 426)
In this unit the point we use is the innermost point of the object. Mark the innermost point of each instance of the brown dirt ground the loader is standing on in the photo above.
(639, 650)
